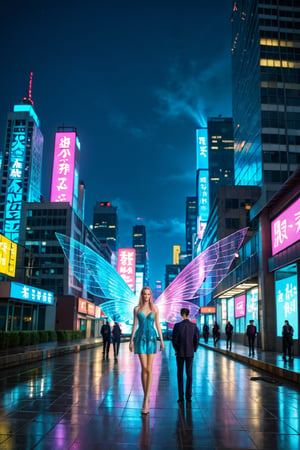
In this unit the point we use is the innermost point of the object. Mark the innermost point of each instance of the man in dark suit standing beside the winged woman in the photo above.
(185, 340)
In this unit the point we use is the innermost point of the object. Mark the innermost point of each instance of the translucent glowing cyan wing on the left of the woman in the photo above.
(99, 278)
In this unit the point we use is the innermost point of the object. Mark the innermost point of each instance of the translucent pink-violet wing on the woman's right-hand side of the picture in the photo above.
(199, 277)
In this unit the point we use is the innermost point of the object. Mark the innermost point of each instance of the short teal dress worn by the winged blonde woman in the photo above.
(145, 340)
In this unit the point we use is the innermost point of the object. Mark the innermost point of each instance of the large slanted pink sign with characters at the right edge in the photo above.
(285, 229)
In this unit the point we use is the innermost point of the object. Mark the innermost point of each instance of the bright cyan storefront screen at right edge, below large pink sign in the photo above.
(286, 292)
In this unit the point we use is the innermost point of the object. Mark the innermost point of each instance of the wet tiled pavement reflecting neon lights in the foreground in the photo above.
(80, 401)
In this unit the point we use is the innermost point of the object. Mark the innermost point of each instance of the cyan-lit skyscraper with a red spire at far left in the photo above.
(21, 165)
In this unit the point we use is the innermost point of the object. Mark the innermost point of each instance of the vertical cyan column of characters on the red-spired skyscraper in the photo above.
(15, 181)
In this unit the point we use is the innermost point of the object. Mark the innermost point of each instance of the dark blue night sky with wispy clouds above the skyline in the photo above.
(136, 78)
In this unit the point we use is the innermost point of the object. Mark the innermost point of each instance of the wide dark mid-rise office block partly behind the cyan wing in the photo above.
(41, 261)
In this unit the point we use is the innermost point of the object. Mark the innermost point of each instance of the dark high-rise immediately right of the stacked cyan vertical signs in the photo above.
(220, 154)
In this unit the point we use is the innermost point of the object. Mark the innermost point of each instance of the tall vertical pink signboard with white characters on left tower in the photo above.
(63, 167)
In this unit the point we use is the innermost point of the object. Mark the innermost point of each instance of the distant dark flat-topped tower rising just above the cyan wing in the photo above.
(105, 224)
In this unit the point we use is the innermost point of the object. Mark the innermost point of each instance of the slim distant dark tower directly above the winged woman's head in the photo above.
(139, 243)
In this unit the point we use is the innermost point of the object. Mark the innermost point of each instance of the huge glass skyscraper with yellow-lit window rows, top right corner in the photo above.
(266, 92)
